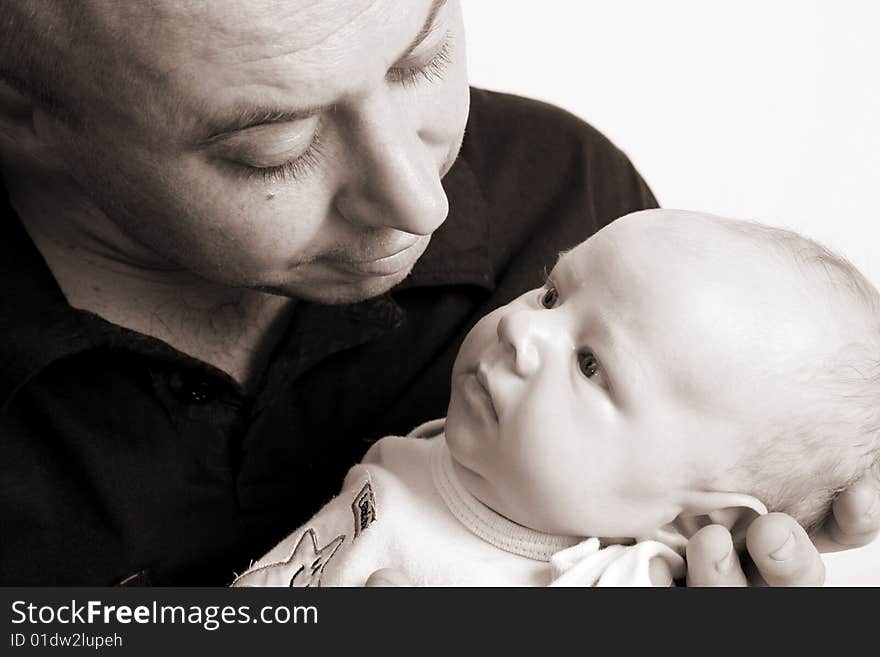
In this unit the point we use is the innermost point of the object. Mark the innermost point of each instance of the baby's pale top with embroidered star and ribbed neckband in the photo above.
(403, 507)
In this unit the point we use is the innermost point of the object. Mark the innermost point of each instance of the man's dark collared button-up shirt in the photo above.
(121, 456)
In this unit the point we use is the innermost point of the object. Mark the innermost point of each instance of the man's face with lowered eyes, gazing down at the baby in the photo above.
(352, 135)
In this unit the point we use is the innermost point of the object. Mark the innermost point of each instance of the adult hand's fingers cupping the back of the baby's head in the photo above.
(781, 552)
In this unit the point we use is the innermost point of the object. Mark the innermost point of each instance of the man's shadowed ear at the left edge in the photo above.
(21, 139)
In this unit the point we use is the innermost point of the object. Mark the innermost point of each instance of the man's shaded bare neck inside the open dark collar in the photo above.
(102, 270)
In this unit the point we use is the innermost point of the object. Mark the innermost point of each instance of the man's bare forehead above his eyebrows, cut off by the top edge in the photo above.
(199, 61)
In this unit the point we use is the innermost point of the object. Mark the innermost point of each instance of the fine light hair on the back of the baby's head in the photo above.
(824, 449)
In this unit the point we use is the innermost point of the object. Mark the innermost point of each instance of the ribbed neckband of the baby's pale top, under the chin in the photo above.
(483, 521)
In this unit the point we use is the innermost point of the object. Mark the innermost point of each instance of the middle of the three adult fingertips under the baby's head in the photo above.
(783, 553)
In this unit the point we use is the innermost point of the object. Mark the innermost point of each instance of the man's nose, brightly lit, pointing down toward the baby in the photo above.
(394, 178)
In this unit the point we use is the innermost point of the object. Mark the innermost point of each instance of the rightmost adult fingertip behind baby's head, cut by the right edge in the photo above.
(855, 517)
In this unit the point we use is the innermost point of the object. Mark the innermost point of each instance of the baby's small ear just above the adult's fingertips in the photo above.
(735, 511)
